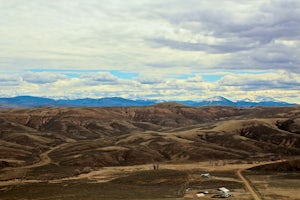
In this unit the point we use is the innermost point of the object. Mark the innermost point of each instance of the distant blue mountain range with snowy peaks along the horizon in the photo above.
(30, 101)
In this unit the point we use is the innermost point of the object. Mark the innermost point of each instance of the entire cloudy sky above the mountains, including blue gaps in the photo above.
(150, 49)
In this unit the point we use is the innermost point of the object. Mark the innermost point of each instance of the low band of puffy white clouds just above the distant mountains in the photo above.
(281, 85)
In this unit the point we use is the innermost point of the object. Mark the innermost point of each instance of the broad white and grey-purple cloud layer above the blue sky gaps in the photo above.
(135, 35)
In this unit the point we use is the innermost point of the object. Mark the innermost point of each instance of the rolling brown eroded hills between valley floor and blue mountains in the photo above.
(44, 139)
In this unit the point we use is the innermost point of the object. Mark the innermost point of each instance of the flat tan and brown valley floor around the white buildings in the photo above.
(171, 181)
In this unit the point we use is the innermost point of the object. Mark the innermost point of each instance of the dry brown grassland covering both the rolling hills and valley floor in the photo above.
(98, 149)
